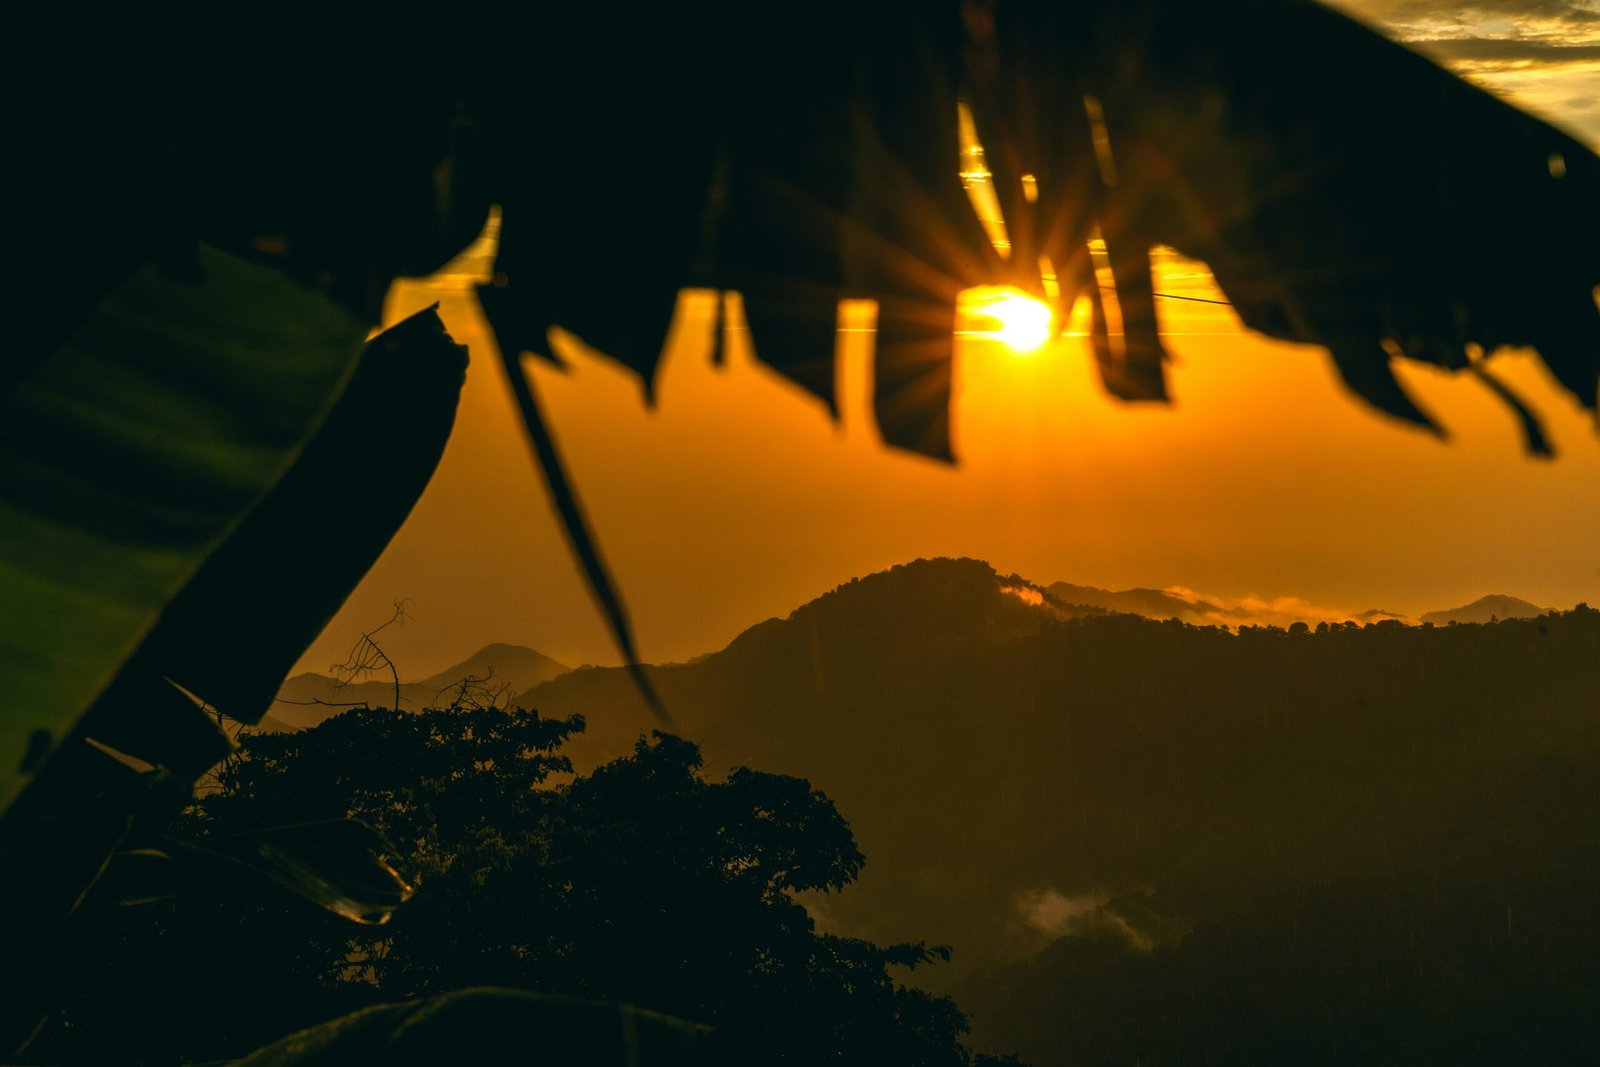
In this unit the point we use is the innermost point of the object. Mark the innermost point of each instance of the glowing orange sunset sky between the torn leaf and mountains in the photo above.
(738, 498)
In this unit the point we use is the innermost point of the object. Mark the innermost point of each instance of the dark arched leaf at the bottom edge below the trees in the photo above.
(494, 1026)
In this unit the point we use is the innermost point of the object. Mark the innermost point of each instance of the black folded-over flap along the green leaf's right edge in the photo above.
(255, 605)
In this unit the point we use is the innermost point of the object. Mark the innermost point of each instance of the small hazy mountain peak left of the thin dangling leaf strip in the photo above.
(310, 698)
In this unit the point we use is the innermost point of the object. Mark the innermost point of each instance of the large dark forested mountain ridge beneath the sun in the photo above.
(1148, 839)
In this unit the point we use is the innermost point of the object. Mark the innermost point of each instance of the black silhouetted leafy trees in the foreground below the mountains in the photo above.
(641, 884)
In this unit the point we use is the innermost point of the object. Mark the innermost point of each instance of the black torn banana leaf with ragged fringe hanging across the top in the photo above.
(1345, 191)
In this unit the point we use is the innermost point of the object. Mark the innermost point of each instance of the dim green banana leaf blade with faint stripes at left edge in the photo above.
(129, 455)
